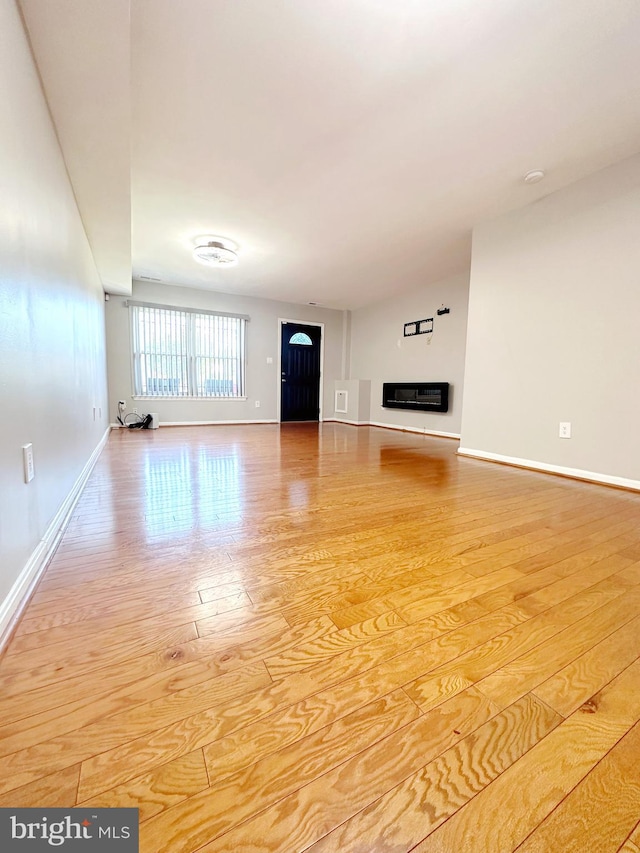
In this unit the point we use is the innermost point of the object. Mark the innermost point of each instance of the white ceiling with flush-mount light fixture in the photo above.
(347, 146)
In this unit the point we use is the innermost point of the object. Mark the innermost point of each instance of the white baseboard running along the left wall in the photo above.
(15, 602)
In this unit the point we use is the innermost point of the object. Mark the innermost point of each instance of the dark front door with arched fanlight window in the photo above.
(300, 360)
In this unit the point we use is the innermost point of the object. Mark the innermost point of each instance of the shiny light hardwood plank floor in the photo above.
(333, 639)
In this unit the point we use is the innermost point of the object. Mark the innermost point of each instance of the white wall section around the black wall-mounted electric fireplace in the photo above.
(379, 351)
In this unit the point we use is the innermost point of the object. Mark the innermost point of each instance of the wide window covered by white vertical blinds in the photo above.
(183, 353)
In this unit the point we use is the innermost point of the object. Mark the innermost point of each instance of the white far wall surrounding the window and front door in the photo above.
(262, 343)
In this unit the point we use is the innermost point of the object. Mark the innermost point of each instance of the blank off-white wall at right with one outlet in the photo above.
(554, 329)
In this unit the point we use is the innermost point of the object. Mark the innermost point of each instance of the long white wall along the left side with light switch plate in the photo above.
(52, 342)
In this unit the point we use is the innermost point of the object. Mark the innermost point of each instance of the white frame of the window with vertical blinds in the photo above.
(191, 354)
